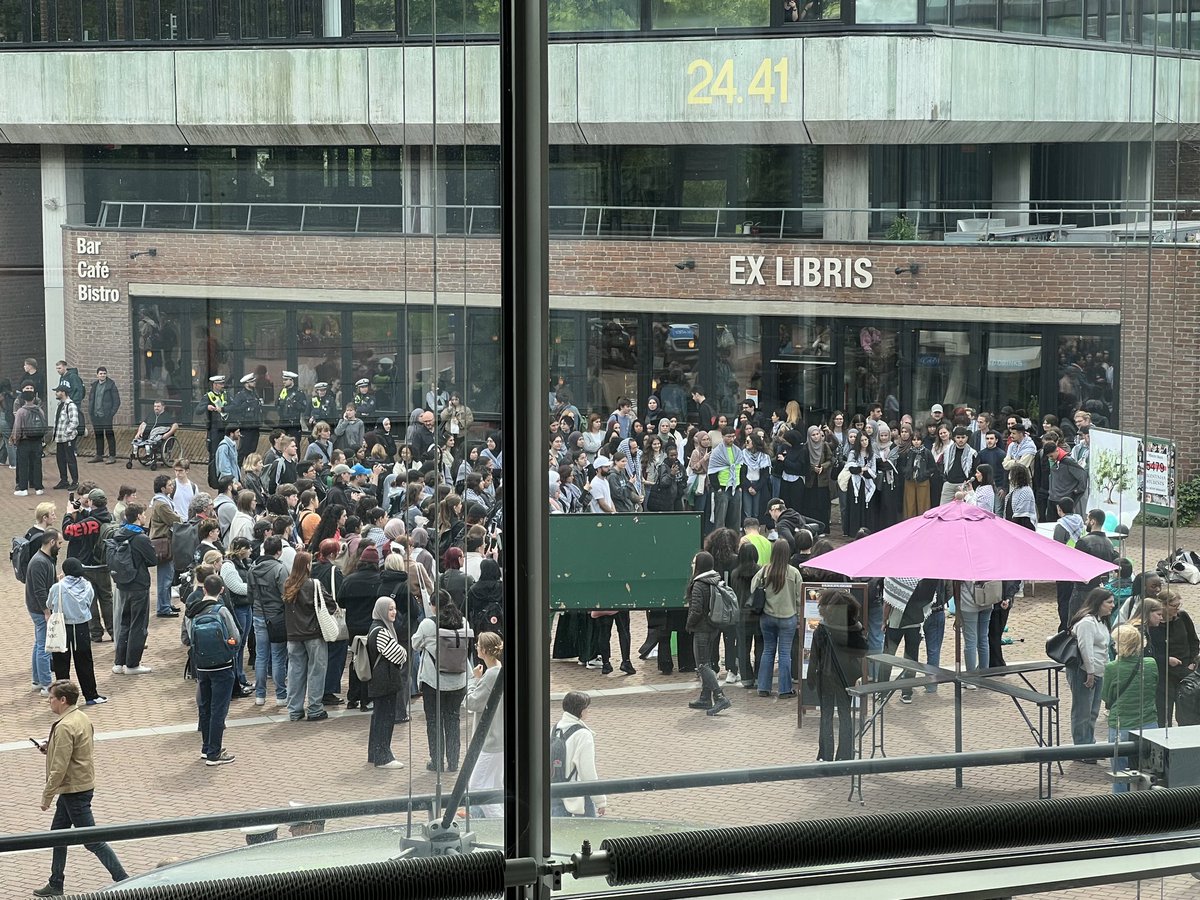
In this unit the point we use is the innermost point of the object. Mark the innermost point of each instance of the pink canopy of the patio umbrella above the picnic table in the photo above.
(958, 542)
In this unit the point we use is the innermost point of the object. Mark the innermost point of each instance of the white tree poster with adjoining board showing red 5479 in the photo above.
(1125, 471)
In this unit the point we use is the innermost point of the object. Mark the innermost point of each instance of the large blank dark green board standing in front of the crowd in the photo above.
(621, 562)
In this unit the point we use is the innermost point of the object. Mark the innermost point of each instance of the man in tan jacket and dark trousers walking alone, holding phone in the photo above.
(71, 775)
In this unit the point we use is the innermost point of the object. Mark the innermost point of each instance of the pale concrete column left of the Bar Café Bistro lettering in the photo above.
(62, 206)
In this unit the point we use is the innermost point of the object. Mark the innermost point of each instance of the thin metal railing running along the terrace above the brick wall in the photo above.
(1037, 221)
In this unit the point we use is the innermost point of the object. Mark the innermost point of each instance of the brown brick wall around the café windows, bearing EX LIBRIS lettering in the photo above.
(951, 277)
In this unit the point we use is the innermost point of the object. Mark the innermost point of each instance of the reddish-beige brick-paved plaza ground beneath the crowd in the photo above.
(148, 769)
